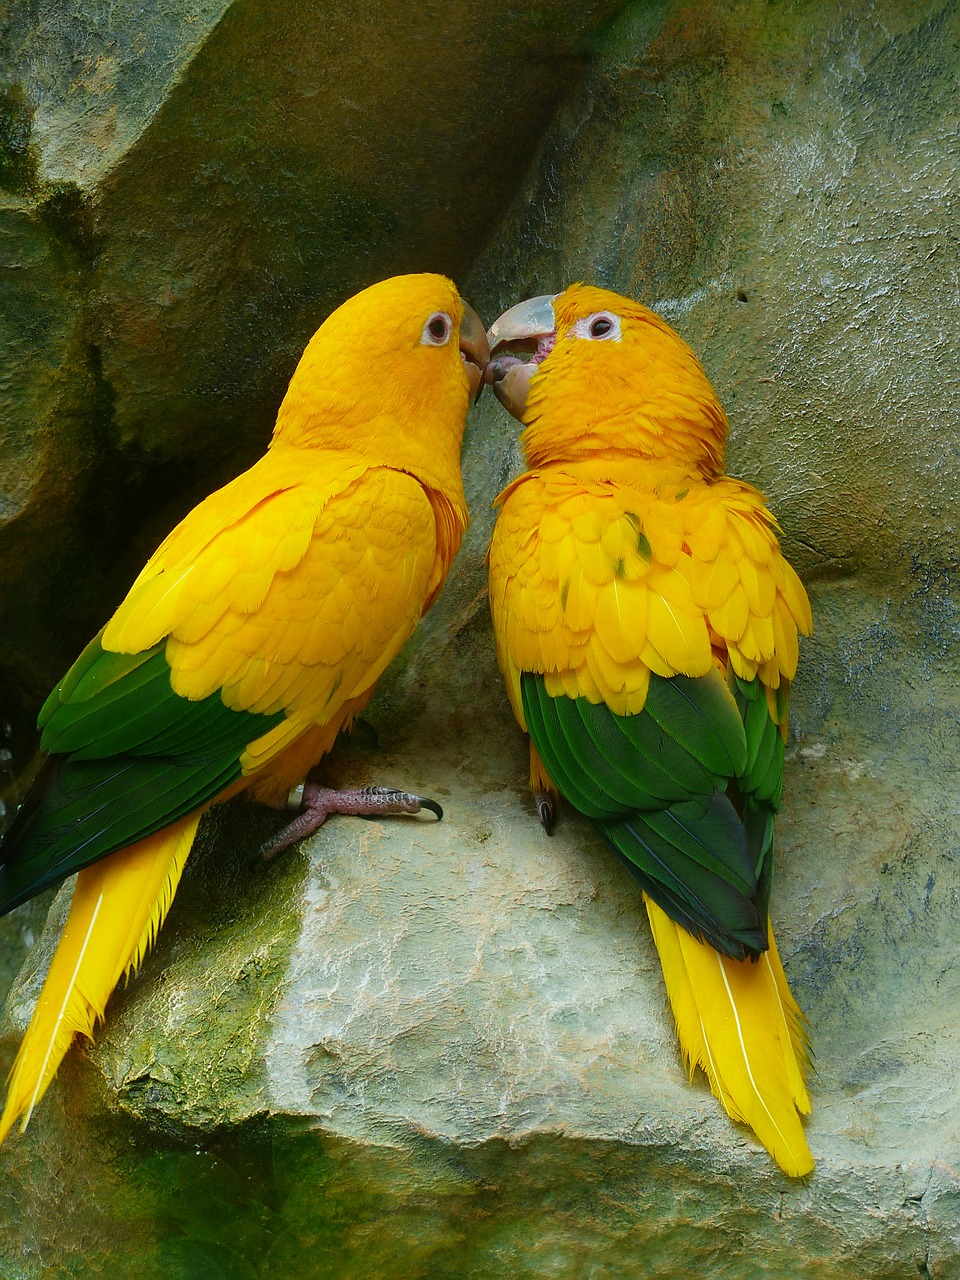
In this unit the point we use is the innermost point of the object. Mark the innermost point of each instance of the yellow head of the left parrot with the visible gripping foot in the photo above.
(390, 376)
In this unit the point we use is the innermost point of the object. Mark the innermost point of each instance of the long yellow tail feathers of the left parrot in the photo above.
(117, 911)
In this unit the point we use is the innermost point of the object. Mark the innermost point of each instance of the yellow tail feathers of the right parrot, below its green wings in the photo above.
(738, 1021)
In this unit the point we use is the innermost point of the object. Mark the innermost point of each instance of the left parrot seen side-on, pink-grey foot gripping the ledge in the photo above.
(253, 637)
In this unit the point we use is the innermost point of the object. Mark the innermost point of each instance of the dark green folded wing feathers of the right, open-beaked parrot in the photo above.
(684, 793)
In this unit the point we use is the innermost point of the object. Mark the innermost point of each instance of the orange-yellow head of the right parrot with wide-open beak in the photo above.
(589, 373)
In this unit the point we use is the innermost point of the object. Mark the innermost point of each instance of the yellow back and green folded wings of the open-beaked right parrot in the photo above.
(641, 680)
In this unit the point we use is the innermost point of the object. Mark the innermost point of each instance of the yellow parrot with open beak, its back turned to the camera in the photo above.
(647, 630)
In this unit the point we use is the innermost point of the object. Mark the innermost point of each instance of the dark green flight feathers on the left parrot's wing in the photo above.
(127, 757)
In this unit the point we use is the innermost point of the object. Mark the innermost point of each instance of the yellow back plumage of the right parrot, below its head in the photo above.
(646, 591)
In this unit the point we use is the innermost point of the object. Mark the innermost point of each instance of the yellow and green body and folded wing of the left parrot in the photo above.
(276, 602)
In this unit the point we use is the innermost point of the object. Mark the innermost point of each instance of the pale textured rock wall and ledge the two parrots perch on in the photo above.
(442, 1050)
